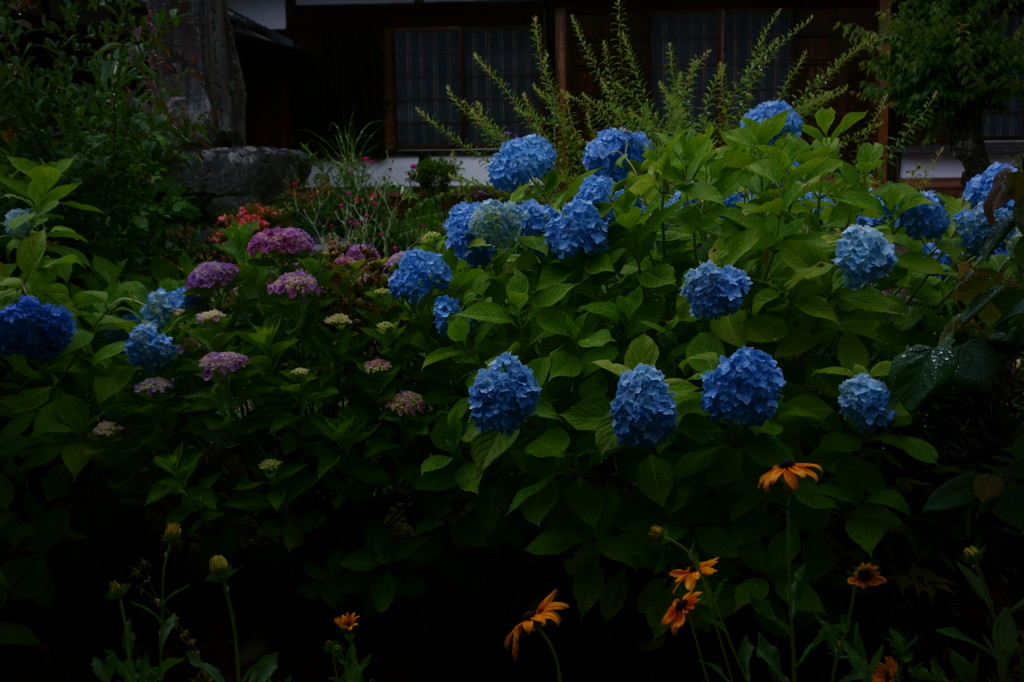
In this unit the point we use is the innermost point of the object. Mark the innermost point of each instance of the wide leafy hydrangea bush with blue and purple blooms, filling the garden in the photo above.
(616, 361)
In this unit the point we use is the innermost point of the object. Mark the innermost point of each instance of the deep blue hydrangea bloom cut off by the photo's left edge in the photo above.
(38, 331)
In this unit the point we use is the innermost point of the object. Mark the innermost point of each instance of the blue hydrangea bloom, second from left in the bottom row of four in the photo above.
(644, 413)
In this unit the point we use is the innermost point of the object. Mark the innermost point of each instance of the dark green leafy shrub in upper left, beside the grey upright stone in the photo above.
(84, 86)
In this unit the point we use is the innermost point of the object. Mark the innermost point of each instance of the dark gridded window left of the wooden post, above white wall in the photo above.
(430, 60)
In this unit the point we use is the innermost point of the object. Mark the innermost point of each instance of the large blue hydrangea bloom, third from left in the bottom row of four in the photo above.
(744, 389)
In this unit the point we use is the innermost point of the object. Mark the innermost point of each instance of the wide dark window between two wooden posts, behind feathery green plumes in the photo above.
(730, 35)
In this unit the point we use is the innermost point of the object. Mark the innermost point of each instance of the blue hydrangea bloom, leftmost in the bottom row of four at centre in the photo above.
(503, 396)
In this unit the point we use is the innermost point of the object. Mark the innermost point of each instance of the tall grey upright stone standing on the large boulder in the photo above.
(204, 44)
